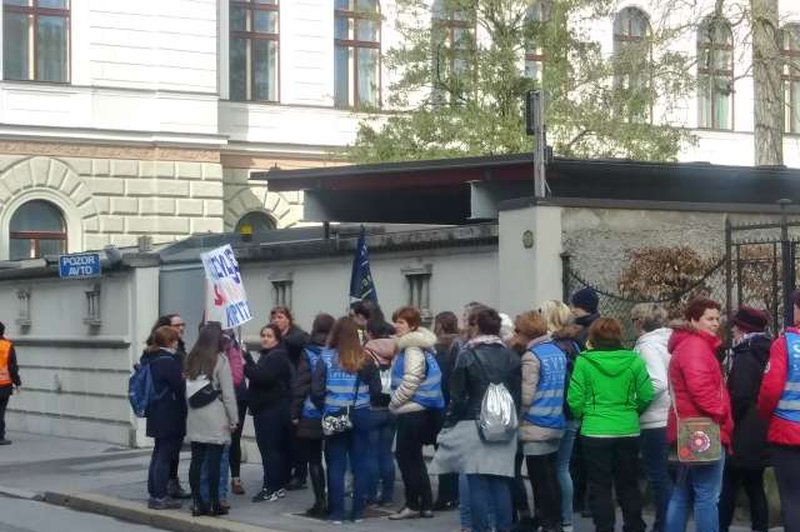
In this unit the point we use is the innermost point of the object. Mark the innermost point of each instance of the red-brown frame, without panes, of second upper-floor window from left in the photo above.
(250, 7)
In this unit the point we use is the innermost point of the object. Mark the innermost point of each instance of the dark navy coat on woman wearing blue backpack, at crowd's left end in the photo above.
(166, 417)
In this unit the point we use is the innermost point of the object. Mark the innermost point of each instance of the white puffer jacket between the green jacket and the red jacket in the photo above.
(652, 346)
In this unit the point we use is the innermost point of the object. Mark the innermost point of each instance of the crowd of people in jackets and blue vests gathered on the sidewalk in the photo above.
(552, 395)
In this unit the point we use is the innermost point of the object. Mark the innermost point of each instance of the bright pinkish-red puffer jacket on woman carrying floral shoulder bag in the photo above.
(696, 379)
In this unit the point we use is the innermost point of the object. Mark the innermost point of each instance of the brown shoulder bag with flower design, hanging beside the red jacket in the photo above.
(698, 439)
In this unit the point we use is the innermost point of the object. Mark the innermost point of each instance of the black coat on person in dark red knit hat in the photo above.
(744, 382)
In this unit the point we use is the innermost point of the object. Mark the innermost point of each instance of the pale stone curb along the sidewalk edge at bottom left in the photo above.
(136, 512)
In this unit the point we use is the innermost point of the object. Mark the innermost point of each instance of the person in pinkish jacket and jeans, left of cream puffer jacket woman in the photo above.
(381, 347)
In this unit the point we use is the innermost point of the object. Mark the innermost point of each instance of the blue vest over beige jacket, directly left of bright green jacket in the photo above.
(547, 409)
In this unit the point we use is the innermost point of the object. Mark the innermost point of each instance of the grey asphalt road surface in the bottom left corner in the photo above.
(19, 515)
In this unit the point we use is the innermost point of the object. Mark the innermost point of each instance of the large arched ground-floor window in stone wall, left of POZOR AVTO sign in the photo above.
(37, 228)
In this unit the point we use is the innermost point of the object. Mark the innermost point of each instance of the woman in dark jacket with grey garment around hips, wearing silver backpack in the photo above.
(488, 465)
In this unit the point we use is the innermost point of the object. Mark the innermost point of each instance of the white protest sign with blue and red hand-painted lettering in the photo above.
(226, 300)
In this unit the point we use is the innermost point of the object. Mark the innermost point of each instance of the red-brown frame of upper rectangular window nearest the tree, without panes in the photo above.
(356, 44)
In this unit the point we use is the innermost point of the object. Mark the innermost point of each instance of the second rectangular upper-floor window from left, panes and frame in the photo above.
(254, 59)
